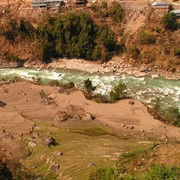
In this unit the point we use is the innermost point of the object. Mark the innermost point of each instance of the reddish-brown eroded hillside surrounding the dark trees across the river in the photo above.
(140, 31)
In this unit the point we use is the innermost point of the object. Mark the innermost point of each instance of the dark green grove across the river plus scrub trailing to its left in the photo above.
(70, 35)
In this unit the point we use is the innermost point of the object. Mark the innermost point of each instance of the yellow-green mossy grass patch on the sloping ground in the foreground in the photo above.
(84, 149)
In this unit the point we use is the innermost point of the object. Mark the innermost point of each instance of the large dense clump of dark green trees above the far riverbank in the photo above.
(74, 36)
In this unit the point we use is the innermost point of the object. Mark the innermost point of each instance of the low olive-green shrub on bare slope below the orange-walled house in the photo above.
(146, 38)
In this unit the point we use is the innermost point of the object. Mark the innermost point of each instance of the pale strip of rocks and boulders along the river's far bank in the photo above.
(116, 65)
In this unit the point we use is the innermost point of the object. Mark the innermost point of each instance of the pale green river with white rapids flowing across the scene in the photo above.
(145, 89)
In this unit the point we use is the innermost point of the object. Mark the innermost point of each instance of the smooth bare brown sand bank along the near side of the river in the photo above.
(25, 108)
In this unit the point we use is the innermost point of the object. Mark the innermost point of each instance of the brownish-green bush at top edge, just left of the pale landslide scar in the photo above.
(116, 13)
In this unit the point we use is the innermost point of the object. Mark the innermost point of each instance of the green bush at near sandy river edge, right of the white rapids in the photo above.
(117, 93)
